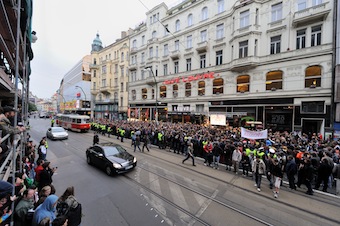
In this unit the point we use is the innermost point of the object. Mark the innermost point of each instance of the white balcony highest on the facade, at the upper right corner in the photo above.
(311, 14)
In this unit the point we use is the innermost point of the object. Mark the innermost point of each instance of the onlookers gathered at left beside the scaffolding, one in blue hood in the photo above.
(31, 200)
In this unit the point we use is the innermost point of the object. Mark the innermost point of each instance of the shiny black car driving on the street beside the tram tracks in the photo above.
(113, 158)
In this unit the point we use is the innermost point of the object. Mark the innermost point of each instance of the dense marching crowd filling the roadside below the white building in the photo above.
(304, 159)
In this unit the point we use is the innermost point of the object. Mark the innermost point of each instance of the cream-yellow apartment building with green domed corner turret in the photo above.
(109, 78)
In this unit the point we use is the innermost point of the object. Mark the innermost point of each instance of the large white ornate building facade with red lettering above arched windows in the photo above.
(271, 60)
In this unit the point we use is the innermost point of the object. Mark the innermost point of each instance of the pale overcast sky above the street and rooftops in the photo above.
(66, 29)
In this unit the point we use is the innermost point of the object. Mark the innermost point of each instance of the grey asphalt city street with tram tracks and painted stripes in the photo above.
(163, 191)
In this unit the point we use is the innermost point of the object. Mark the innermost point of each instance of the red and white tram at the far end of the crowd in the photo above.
(74, 122)
